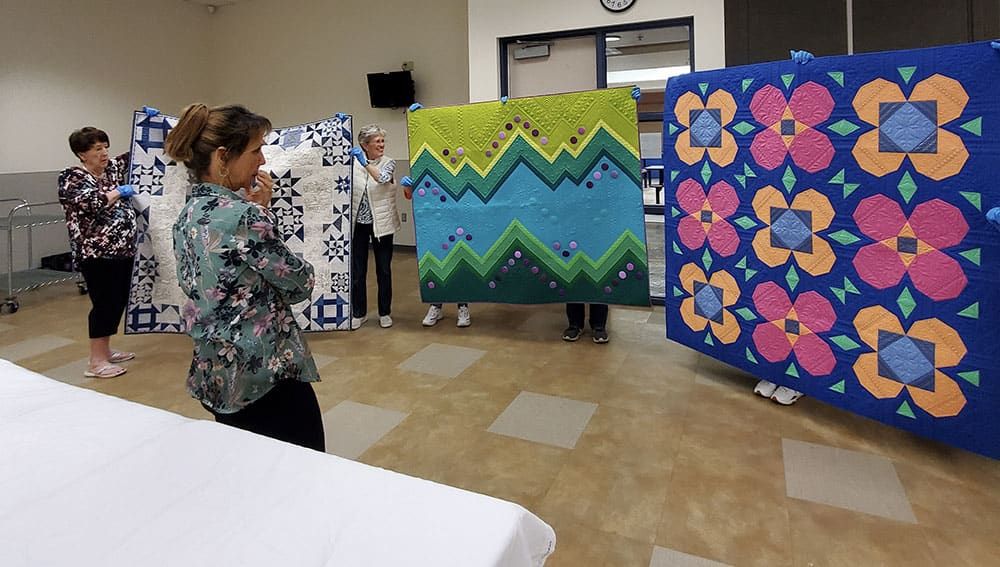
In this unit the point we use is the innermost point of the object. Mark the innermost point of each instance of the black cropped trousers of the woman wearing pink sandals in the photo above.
(108, 283)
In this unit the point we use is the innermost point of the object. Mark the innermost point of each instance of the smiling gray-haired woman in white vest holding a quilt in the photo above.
(376, 220)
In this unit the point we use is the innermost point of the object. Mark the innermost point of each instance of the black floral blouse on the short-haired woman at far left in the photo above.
(97, 230)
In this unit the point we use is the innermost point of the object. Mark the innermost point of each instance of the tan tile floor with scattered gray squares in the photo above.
(672, 462)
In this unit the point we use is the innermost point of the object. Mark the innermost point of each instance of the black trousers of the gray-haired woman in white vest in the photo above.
(382, 247)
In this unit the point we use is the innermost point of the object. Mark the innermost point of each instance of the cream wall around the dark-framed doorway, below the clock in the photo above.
(493, 19)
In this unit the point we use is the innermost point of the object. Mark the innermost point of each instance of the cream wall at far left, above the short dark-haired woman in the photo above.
(70, 63)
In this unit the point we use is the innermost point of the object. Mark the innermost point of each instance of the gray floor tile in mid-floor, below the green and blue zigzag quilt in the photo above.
(544, 419)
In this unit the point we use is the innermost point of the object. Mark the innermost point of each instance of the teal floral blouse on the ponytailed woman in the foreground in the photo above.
(241, 280)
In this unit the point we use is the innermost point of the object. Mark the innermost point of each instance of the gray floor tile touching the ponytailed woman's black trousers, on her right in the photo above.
(351, 428)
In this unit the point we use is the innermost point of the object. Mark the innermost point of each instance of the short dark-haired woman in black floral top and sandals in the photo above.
(102, 233)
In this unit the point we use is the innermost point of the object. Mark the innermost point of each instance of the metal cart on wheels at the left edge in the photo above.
(21, 216)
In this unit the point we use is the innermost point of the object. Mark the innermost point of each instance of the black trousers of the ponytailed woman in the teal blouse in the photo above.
(289, 412)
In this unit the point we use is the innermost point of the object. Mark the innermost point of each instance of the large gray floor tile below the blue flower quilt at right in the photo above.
(846, 479)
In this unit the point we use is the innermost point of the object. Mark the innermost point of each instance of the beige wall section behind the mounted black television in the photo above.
(327, 49)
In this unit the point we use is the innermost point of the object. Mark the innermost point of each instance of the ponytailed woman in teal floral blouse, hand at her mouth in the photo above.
(252, 368)
